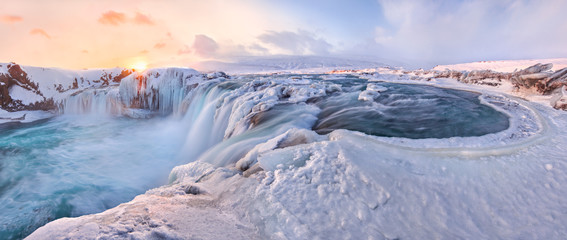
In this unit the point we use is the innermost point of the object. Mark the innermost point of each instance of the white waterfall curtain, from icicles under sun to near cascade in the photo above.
(218, 116)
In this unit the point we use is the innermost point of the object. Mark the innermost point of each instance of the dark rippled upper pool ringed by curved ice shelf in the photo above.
(410, 111)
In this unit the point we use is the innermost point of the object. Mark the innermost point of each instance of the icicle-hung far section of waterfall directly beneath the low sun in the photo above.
(157, 91)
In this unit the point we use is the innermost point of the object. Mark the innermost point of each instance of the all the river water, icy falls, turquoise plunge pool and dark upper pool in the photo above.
(78, 164)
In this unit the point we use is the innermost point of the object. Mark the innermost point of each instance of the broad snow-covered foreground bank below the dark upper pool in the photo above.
(350, 186)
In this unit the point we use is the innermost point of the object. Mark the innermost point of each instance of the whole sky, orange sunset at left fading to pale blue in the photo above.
(80, 34)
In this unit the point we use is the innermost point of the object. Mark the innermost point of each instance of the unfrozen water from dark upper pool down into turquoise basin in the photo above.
(73, 165)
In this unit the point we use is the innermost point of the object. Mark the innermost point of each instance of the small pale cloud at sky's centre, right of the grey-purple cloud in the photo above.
(300, 42)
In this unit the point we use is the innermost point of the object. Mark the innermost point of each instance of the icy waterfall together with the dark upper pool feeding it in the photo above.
(223, 119)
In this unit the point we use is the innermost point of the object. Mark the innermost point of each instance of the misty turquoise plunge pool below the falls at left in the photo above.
(76, 165)
